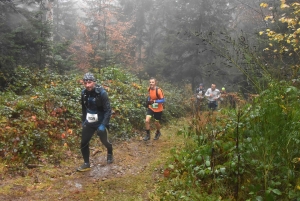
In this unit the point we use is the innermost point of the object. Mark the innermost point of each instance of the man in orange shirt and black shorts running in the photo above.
(155, 108)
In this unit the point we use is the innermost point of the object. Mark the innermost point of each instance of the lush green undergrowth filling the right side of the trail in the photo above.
(248, 153)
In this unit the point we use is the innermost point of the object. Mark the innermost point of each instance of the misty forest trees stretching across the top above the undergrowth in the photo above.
(190, 41)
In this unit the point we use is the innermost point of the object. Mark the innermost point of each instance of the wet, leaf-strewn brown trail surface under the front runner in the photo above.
(131, 158)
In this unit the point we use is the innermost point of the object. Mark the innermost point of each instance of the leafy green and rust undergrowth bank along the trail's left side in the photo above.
(40, 113)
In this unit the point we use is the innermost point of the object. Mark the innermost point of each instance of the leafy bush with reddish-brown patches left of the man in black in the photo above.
(37, 112)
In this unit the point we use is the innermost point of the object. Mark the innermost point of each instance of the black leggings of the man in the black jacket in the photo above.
(87, 133)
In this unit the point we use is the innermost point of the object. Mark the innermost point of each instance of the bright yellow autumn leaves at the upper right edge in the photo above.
(284, 44)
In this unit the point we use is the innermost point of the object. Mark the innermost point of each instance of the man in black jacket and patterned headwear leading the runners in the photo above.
(96, 113)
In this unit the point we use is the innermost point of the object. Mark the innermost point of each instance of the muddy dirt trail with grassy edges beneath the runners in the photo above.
(137, 169)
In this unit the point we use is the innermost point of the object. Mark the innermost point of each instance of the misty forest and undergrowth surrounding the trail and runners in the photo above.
(250, 151)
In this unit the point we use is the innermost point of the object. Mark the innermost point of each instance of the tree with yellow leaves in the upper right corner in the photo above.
(282, 48)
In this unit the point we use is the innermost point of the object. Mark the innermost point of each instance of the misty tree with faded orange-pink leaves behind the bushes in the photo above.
(106, 34)
